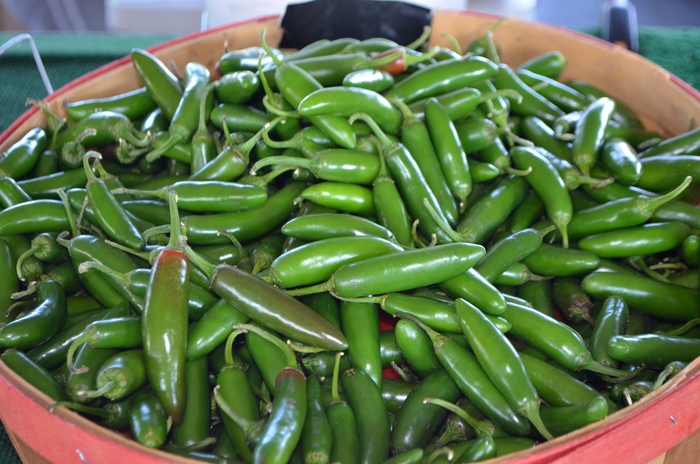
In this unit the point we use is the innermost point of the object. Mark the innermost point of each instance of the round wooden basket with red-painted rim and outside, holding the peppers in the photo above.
(663, 427)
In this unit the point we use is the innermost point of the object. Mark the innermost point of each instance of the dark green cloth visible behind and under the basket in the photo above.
(67, 57)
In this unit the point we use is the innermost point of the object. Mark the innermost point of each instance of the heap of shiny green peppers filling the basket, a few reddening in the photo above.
(356, 252)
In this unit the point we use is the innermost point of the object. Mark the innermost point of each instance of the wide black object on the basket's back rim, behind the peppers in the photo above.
(304, 23)
